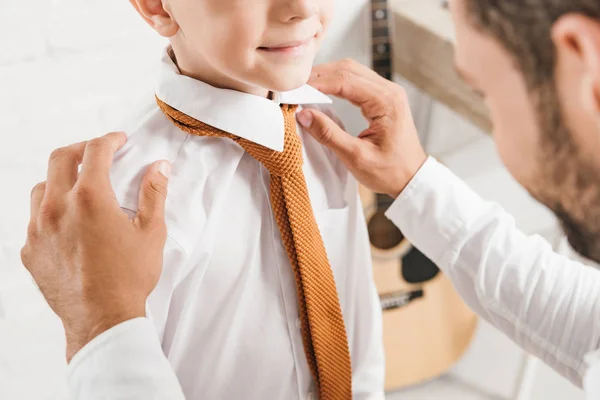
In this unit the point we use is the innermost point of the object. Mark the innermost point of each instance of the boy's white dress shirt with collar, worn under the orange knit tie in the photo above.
(225, 308)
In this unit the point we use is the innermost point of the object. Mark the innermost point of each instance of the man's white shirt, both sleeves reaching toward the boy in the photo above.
(545, 302)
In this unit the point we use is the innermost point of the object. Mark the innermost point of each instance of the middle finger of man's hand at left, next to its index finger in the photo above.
(63, 168)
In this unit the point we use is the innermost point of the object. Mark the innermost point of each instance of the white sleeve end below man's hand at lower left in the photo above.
(125, 362)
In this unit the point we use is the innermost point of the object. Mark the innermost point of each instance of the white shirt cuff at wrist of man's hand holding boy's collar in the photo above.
(434, 209)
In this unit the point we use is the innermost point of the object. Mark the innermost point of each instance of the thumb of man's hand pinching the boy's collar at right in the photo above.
(328, 133)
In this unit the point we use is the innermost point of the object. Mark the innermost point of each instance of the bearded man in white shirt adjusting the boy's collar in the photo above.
(537, 63)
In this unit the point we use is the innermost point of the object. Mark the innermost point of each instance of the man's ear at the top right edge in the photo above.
(578, 38)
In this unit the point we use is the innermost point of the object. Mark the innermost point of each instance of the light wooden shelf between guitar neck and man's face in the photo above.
(423, 53)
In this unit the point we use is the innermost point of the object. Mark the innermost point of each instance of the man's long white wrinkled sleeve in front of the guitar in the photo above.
(543, 301)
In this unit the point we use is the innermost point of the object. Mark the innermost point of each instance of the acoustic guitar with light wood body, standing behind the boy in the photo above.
(427, 327)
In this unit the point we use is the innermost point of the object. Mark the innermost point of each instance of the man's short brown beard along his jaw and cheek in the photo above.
(566, 183)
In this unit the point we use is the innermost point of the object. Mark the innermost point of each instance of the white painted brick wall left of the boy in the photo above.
(67, 68)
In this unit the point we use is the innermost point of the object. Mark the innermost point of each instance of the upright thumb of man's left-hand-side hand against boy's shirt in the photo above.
(153, 194)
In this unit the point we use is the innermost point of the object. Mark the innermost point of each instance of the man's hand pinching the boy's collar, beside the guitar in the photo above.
(385, 156)
